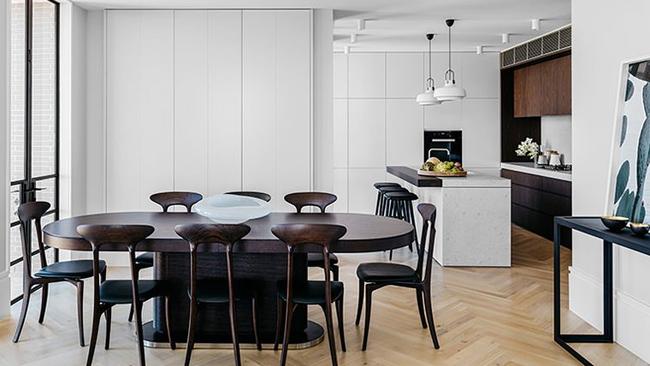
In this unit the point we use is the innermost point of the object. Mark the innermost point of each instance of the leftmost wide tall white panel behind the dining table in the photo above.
(139, 100)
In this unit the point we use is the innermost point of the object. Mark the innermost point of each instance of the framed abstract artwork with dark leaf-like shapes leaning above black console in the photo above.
(629, 187)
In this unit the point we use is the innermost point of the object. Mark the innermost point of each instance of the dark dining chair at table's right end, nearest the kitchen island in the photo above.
(373, 276)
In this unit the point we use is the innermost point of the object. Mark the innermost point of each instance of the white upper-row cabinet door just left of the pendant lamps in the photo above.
(405, 75)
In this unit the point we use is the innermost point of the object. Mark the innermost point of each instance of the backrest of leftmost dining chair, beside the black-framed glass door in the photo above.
(28, 212)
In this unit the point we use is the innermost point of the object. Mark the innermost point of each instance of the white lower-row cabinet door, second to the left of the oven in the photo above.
(367, 133)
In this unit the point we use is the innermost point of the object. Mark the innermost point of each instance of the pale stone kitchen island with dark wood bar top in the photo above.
(473, 222)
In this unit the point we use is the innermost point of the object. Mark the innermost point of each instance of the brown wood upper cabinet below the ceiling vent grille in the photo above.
(543, 89)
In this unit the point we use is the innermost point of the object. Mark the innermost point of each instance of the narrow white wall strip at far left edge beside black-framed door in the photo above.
(5, 291)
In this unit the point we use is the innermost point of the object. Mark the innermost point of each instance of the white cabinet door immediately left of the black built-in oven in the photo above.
(404, 132)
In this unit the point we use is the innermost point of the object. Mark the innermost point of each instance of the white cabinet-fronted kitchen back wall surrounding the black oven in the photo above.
(378, 123)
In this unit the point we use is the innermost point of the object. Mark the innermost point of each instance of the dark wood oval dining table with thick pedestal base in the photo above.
(259, 256)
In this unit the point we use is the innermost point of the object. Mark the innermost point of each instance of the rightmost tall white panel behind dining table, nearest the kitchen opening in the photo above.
(276, 102)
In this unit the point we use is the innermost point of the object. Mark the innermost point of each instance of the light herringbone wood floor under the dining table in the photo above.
(484, 316)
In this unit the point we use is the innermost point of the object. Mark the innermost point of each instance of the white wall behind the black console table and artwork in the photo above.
(599, 50)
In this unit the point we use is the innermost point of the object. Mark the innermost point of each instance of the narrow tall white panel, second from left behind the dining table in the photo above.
(191, 100)
